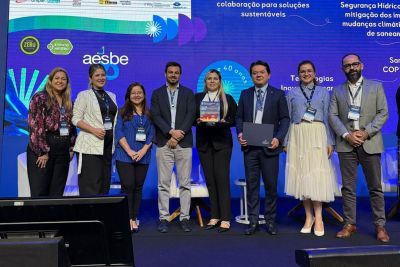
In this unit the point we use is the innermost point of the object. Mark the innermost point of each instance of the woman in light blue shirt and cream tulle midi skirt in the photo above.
(310, 176)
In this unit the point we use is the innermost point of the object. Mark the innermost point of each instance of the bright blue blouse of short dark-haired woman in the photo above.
(128, 129)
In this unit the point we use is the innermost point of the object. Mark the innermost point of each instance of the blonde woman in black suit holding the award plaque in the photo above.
(215, 113)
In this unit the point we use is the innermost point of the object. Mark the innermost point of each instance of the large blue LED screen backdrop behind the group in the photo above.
(134, 39)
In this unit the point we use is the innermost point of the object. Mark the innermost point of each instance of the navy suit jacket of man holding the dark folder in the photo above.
(275, 112)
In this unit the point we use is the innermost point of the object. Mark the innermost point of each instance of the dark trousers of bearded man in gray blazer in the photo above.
(371, 165)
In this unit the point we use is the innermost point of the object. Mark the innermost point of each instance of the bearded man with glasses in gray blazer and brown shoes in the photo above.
(357, 112)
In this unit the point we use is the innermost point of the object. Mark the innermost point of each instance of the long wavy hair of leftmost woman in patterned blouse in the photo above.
(66, 95)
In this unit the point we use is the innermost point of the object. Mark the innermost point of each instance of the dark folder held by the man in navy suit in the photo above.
(258, 134)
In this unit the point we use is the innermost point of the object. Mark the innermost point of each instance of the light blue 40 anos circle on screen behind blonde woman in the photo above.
(235, 77)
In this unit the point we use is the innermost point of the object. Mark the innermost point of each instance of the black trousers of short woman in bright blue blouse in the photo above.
(132, 176)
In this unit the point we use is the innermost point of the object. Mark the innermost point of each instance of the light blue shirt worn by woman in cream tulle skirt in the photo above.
(297, 105)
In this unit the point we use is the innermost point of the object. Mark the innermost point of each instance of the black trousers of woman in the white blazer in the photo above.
(95, 176)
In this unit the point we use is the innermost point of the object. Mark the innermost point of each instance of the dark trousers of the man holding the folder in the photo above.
(256, 162)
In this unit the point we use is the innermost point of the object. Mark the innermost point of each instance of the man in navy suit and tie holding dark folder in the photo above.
(264, 104)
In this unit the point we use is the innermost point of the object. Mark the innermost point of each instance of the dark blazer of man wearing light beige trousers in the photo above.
(161, 114)
